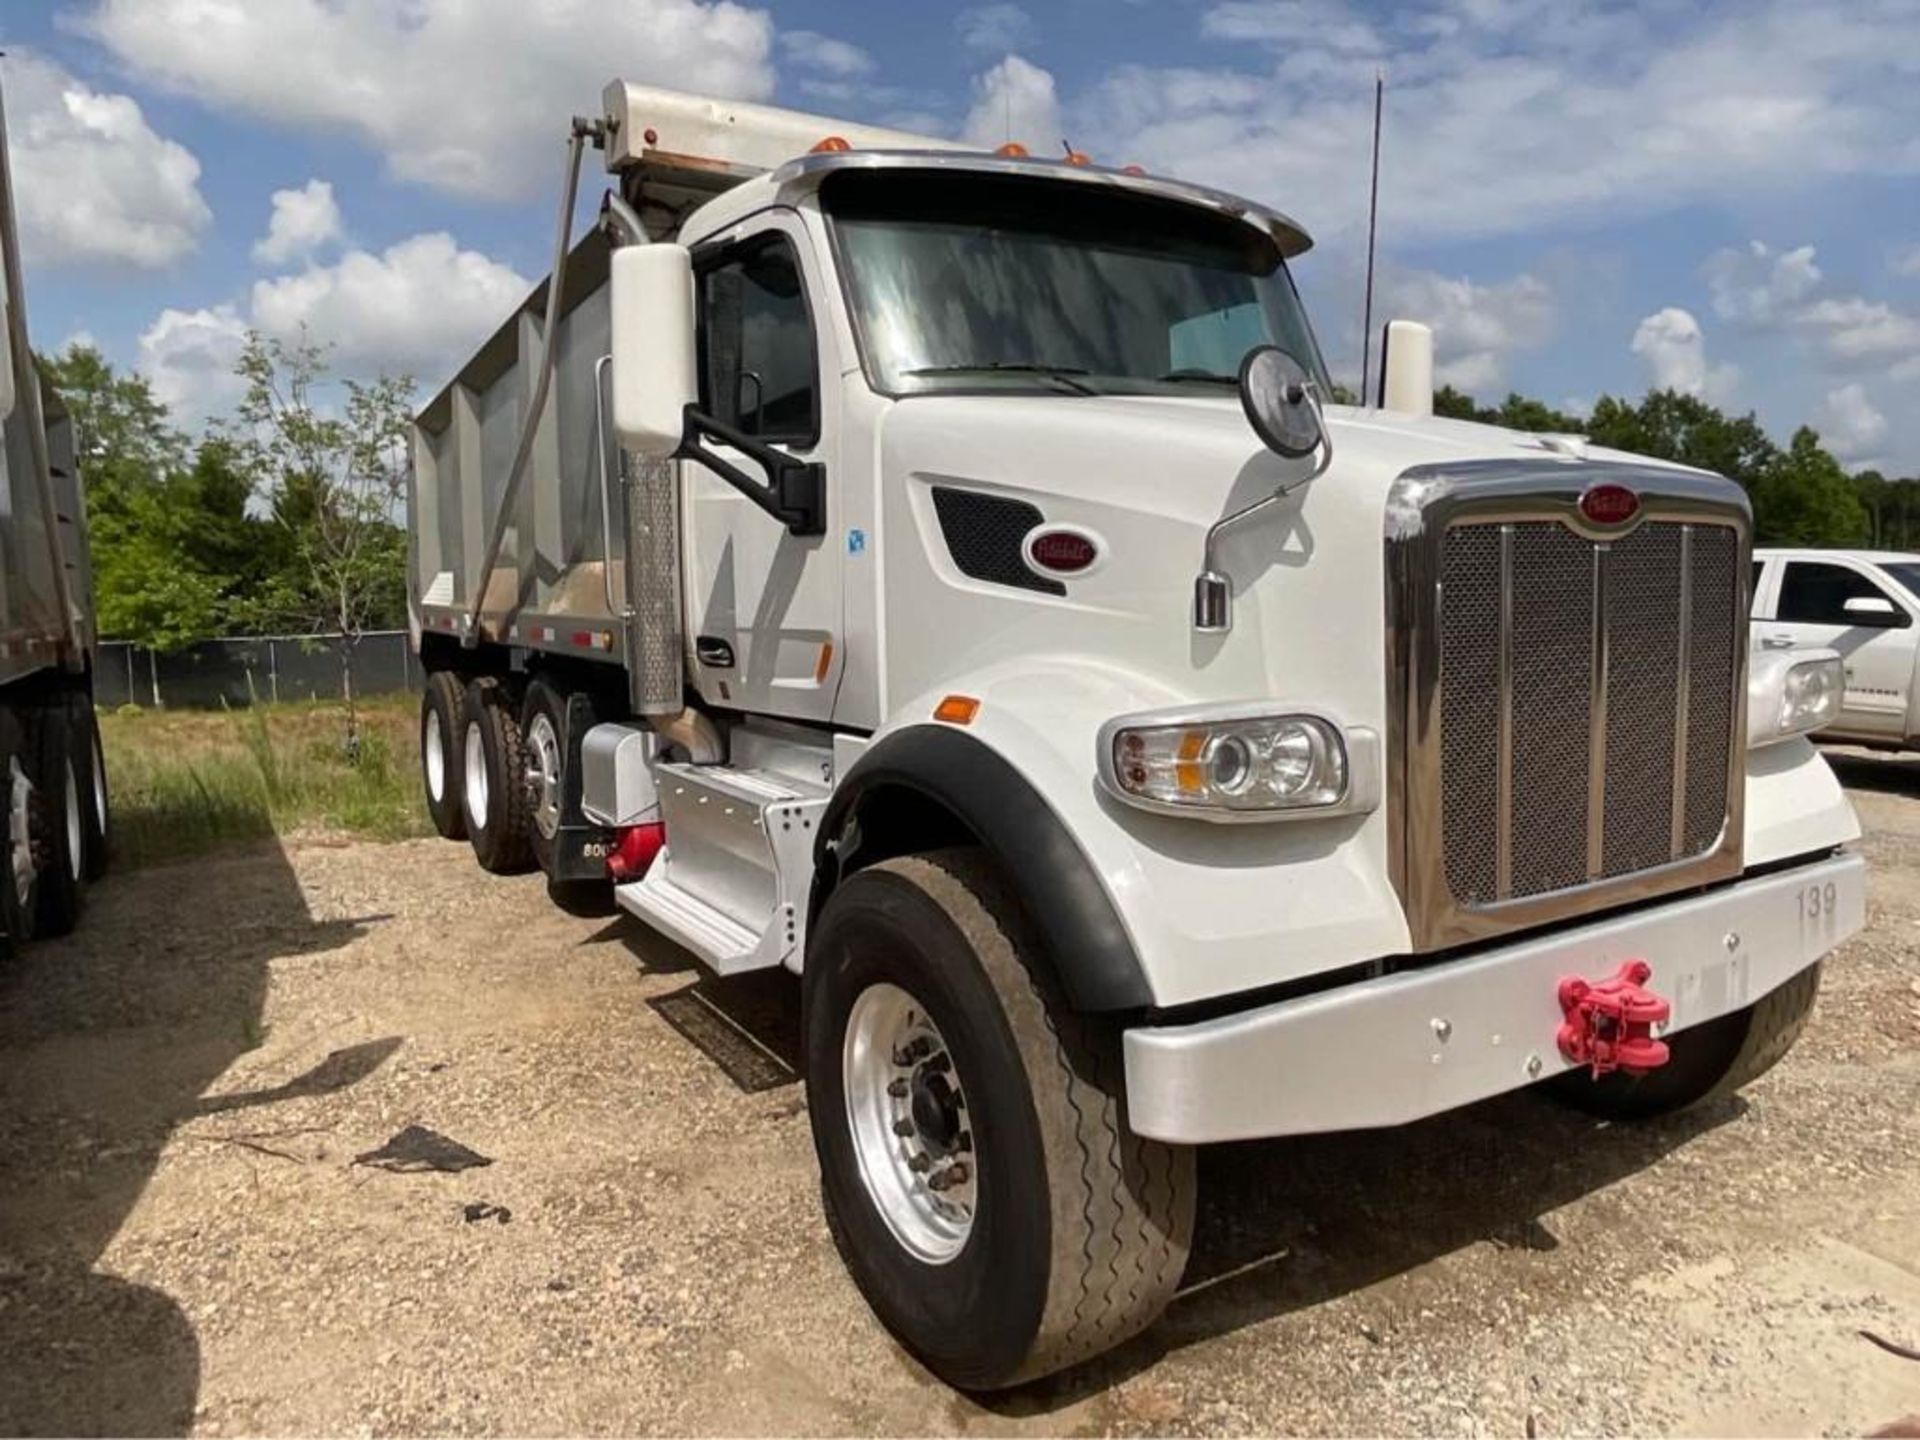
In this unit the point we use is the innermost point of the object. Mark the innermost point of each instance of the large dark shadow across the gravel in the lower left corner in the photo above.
(108, 1042)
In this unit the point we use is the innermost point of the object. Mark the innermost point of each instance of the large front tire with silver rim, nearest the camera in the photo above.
(938, 1047)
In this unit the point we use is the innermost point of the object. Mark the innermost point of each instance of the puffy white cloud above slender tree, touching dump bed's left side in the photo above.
(418, 308)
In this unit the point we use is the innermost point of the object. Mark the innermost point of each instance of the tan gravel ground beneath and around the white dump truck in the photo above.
(187, 1243)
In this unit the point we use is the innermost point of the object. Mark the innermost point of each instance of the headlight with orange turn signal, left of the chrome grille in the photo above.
(1237, 765)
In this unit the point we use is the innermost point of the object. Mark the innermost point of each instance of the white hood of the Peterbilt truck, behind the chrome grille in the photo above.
(1147, 477)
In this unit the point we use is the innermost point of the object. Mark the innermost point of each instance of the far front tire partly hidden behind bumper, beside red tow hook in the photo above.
(1708, 1061)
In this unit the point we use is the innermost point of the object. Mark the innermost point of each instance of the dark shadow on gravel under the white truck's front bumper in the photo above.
(1287, 1226)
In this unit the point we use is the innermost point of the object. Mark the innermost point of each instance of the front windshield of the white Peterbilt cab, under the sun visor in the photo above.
(1022, 283)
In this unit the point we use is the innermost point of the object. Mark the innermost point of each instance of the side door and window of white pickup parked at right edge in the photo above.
(1842, 606)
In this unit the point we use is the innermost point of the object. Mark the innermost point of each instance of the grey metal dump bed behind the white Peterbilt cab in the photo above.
(560, 579)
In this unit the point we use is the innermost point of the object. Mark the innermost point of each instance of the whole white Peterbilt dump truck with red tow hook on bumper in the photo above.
(944, 575)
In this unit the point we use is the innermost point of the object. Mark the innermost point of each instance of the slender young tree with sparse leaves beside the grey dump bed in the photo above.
(333, 481)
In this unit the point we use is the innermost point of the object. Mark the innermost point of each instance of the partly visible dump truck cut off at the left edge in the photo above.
(53, 775)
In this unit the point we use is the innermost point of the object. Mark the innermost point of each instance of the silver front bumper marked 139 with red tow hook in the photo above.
(1410, 1045)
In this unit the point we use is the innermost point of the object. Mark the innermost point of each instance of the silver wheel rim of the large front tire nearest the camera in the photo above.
(911, 1128)
